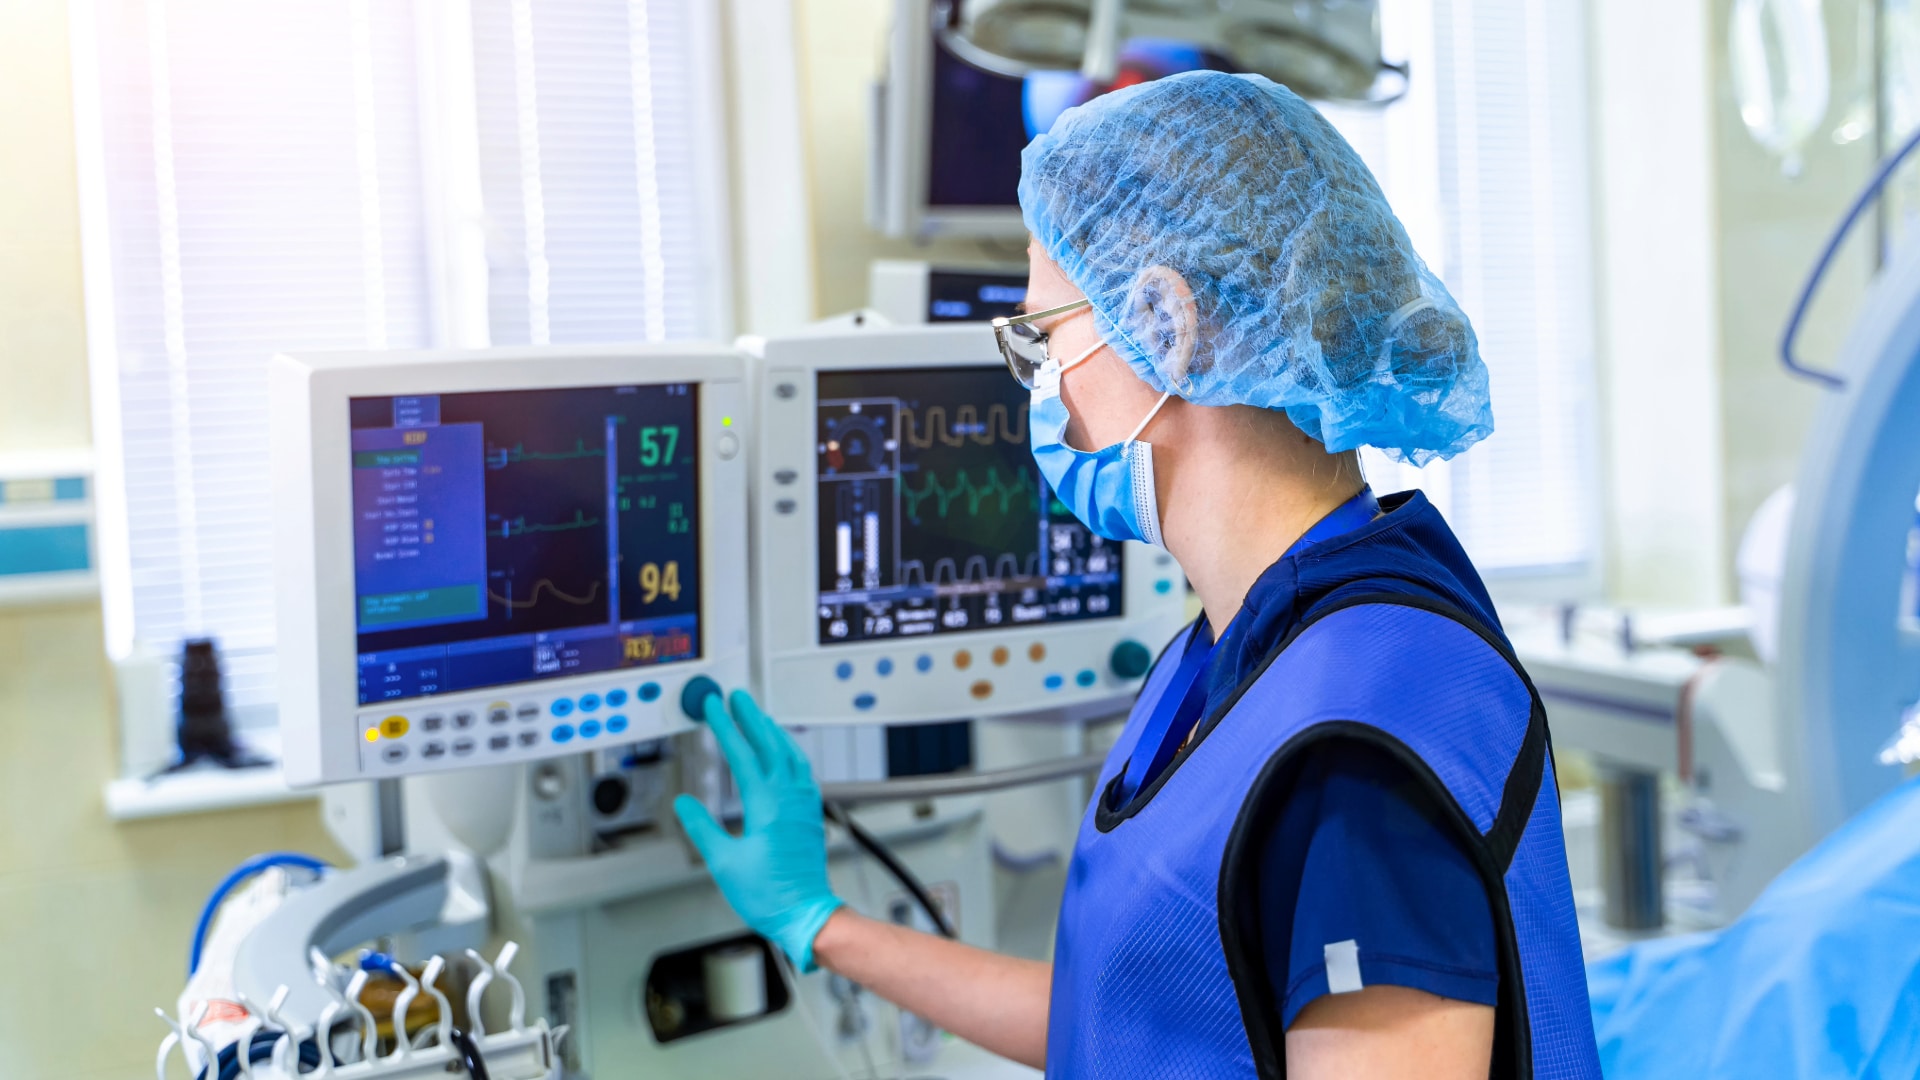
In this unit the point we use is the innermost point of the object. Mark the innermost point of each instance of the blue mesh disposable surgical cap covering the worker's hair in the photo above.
(1307, 291)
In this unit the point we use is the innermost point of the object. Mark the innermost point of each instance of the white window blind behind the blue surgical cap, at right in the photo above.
(1487, 162)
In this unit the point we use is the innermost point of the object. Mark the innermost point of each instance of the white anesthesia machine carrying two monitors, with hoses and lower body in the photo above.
(510, 579)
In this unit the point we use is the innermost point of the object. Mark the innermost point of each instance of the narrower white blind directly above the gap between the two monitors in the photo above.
(592, 135)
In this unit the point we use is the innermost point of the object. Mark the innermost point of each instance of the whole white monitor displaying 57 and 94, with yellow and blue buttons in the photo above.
(504, 556)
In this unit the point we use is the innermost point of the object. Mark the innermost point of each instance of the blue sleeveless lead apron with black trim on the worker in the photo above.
(1385, 637)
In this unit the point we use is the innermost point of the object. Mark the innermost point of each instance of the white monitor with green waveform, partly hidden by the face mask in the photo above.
(911, 562)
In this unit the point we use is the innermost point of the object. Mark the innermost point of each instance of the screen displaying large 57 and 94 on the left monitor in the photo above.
(523, 535)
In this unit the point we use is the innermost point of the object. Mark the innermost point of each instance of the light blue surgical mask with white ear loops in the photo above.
(1113, 489)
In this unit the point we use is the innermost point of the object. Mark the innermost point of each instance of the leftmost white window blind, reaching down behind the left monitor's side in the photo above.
(262, 195)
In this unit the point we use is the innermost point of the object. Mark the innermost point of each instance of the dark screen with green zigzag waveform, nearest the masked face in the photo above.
(934, 518)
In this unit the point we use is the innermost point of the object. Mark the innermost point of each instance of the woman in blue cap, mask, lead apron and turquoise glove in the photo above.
(1328, 841)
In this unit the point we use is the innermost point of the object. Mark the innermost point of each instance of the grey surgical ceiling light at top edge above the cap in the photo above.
(1320, 49)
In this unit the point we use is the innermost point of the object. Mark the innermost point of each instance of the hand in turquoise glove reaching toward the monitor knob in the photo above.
(777, 871)
